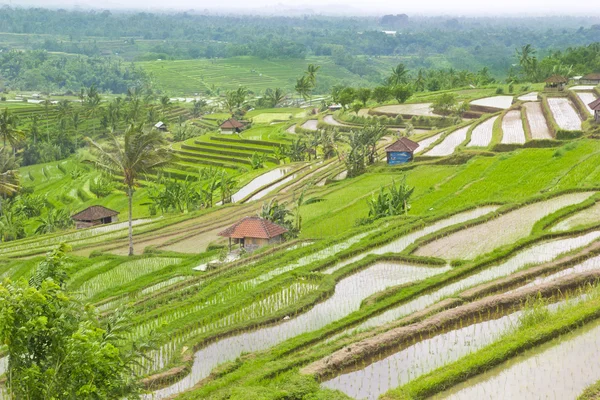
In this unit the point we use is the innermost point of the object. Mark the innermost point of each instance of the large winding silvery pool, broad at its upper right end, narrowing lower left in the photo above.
(347, 297)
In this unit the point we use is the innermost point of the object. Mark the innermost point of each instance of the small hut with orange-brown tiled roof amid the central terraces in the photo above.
(254, 232)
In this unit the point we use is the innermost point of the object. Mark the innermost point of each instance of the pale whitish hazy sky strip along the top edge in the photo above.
(458, 7)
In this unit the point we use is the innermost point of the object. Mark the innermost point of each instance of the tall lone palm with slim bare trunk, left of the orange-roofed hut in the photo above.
(140, 152)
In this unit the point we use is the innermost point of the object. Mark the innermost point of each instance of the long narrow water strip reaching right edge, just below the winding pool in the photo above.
(534, 255)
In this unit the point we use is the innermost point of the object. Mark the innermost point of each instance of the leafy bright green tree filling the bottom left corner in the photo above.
(57, 348)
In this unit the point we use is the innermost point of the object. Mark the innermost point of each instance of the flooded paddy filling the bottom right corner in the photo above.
(560, 369)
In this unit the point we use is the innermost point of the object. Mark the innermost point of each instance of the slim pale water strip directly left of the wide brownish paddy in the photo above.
(403, 242)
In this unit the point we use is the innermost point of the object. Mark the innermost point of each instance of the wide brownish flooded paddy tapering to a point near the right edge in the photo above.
(508, 228)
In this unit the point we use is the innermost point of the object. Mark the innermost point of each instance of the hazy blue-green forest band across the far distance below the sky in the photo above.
(435, 42)
